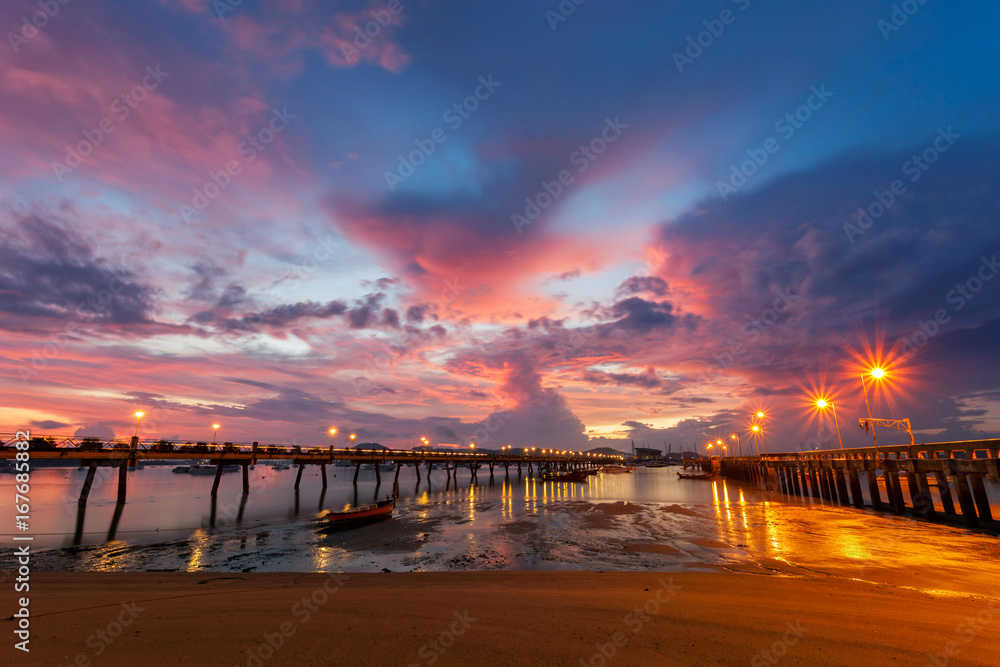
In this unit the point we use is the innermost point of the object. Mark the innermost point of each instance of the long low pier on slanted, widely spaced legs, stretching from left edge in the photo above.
(93, 453)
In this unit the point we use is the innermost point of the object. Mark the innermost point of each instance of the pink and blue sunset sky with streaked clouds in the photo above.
(510, 223)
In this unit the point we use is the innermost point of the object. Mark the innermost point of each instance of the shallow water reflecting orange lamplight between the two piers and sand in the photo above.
(648, 519)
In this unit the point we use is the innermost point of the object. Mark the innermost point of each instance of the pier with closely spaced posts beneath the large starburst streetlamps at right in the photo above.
(929, 473)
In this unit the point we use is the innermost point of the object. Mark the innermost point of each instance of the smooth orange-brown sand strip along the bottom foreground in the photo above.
(496, 618)
